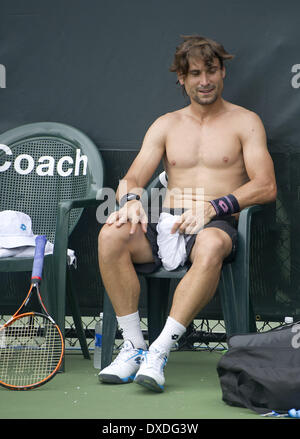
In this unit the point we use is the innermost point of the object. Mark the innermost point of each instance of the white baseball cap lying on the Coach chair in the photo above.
(15, 229)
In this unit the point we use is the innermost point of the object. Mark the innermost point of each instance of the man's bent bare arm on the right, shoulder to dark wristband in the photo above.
(261, 187)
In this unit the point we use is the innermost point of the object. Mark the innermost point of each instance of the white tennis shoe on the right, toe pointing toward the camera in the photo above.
(151, 371)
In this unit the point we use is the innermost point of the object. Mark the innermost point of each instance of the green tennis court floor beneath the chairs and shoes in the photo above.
(192, 392)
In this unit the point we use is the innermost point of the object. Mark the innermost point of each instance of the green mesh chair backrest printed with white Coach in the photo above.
(44, 163)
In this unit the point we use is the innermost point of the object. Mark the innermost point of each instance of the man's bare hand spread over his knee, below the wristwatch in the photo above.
(133, 212)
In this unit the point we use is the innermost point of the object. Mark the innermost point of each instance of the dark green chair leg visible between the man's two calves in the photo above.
(157, 303)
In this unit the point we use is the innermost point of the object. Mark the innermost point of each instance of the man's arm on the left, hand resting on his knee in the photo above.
(139, 174)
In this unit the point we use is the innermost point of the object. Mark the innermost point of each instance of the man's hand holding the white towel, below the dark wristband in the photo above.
(192, 221)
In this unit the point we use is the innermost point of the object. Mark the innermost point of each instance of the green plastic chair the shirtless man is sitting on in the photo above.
(233, 288)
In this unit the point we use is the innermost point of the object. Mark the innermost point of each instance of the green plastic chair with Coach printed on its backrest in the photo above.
(51, 172)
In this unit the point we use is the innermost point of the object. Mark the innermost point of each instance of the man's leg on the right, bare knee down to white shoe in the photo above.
(193, 292)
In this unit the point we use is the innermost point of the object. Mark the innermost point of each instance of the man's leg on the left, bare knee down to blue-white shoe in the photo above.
(118, 250)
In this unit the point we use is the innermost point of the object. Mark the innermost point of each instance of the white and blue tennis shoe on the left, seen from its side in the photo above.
(123, 369)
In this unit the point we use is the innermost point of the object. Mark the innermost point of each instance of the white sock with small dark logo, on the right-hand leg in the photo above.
(170, 334)
